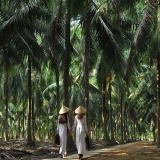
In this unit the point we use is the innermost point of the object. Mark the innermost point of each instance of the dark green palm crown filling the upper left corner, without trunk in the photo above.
(19, 27)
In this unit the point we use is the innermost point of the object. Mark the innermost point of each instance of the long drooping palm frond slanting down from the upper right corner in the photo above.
(143, 38)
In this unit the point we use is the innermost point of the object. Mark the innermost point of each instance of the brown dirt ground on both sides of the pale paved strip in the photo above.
(142, 150)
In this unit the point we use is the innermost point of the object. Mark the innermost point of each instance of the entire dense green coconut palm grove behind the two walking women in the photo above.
(103, 55)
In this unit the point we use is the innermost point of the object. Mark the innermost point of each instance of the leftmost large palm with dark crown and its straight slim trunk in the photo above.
(24, 40)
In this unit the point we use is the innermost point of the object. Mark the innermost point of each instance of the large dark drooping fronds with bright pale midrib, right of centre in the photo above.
(111, 41)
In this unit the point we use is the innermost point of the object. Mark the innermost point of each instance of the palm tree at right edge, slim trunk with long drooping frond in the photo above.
(149, 25)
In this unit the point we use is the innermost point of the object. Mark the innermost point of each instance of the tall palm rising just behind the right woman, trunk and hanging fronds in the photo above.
(87, 52)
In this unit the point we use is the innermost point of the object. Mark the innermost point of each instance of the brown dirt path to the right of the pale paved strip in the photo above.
(138, 151)
